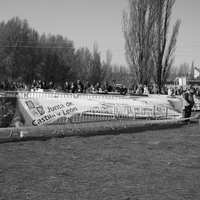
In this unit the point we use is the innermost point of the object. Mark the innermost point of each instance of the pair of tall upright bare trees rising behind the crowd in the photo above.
(148, 50)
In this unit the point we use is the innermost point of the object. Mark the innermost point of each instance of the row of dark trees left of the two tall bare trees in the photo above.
(25, 55)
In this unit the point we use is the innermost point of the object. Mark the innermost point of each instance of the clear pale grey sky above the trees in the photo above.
(88, 21)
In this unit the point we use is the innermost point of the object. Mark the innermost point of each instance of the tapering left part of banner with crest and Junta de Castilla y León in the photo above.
(41, 111)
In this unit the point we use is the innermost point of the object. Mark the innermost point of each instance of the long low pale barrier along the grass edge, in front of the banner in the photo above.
(69, 127)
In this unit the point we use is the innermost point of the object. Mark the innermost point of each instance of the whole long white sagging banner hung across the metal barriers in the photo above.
(42, 111)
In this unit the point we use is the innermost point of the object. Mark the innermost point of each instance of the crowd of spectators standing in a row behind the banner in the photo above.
(101, 88)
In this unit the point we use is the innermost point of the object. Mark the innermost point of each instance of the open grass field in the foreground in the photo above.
(142, 162)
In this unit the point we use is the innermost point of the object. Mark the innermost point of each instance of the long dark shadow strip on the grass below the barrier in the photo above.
(93, 133)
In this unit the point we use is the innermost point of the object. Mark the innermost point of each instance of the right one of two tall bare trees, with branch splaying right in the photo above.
(163, 51)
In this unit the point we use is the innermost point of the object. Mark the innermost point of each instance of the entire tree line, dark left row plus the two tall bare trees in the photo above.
(149, 50)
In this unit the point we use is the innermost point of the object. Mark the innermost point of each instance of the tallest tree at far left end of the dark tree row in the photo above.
(13, 38)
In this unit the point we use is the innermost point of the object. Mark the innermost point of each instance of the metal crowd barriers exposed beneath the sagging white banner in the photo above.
(121, 113)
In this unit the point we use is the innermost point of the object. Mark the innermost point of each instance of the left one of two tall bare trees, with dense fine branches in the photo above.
(138, 29)
